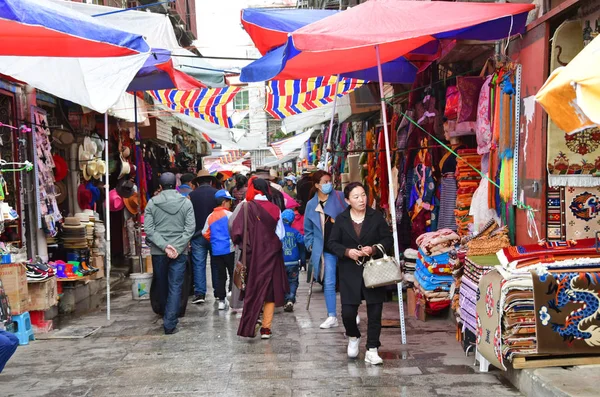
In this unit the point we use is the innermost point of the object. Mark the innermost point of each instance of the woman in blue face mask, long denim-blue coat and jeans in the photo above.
(321, 210)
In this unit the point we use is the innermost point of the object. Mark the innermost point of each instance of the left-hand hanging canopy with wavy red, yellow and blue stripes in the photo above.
(206, 104)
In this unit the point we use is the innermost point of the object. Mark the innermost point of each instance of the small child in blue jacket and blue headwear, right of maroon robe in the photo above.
(291, 257)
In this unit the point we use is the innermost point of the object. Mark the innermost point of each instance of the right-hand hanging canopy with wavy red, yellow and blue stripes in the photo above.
(289, 97)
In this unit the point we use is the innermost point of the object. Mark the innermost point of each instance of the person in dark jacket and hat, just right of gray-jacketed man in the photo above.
(204, 202)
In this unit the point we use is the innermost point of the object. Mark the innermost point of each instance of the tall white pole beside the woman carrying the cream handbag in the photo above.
(391, 190)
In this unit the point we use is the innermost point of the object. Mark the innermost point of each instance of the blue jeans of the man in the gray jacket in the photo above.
(170, 274)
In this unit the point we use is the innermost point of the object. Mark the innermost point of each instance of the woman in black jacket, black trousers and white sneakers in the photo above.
(354, 234)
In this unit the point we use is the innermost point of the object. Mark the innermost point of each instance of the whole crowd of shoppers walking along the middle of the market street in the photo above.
(269, 227)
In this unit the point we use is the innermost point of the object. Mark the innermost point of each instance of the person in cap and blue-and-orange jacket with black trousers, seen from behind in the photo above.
(222, 254)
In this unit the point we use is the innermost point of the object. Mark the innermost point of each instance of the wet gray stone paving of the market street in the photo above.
(131, 357)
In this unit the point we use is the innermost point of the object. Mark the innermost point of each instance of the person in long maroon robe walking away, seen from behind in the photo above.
(266, 284)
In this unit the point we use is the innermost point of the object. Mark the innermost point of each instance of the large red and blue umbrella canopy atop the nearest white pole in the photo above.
(345, 42)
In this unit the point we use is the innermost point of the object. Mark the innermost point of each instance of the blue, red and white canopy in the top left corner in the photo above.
(68, 54)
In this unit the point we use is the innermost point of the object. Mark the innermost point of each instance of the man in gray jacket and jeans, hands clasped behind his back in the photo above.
(169, 224)
